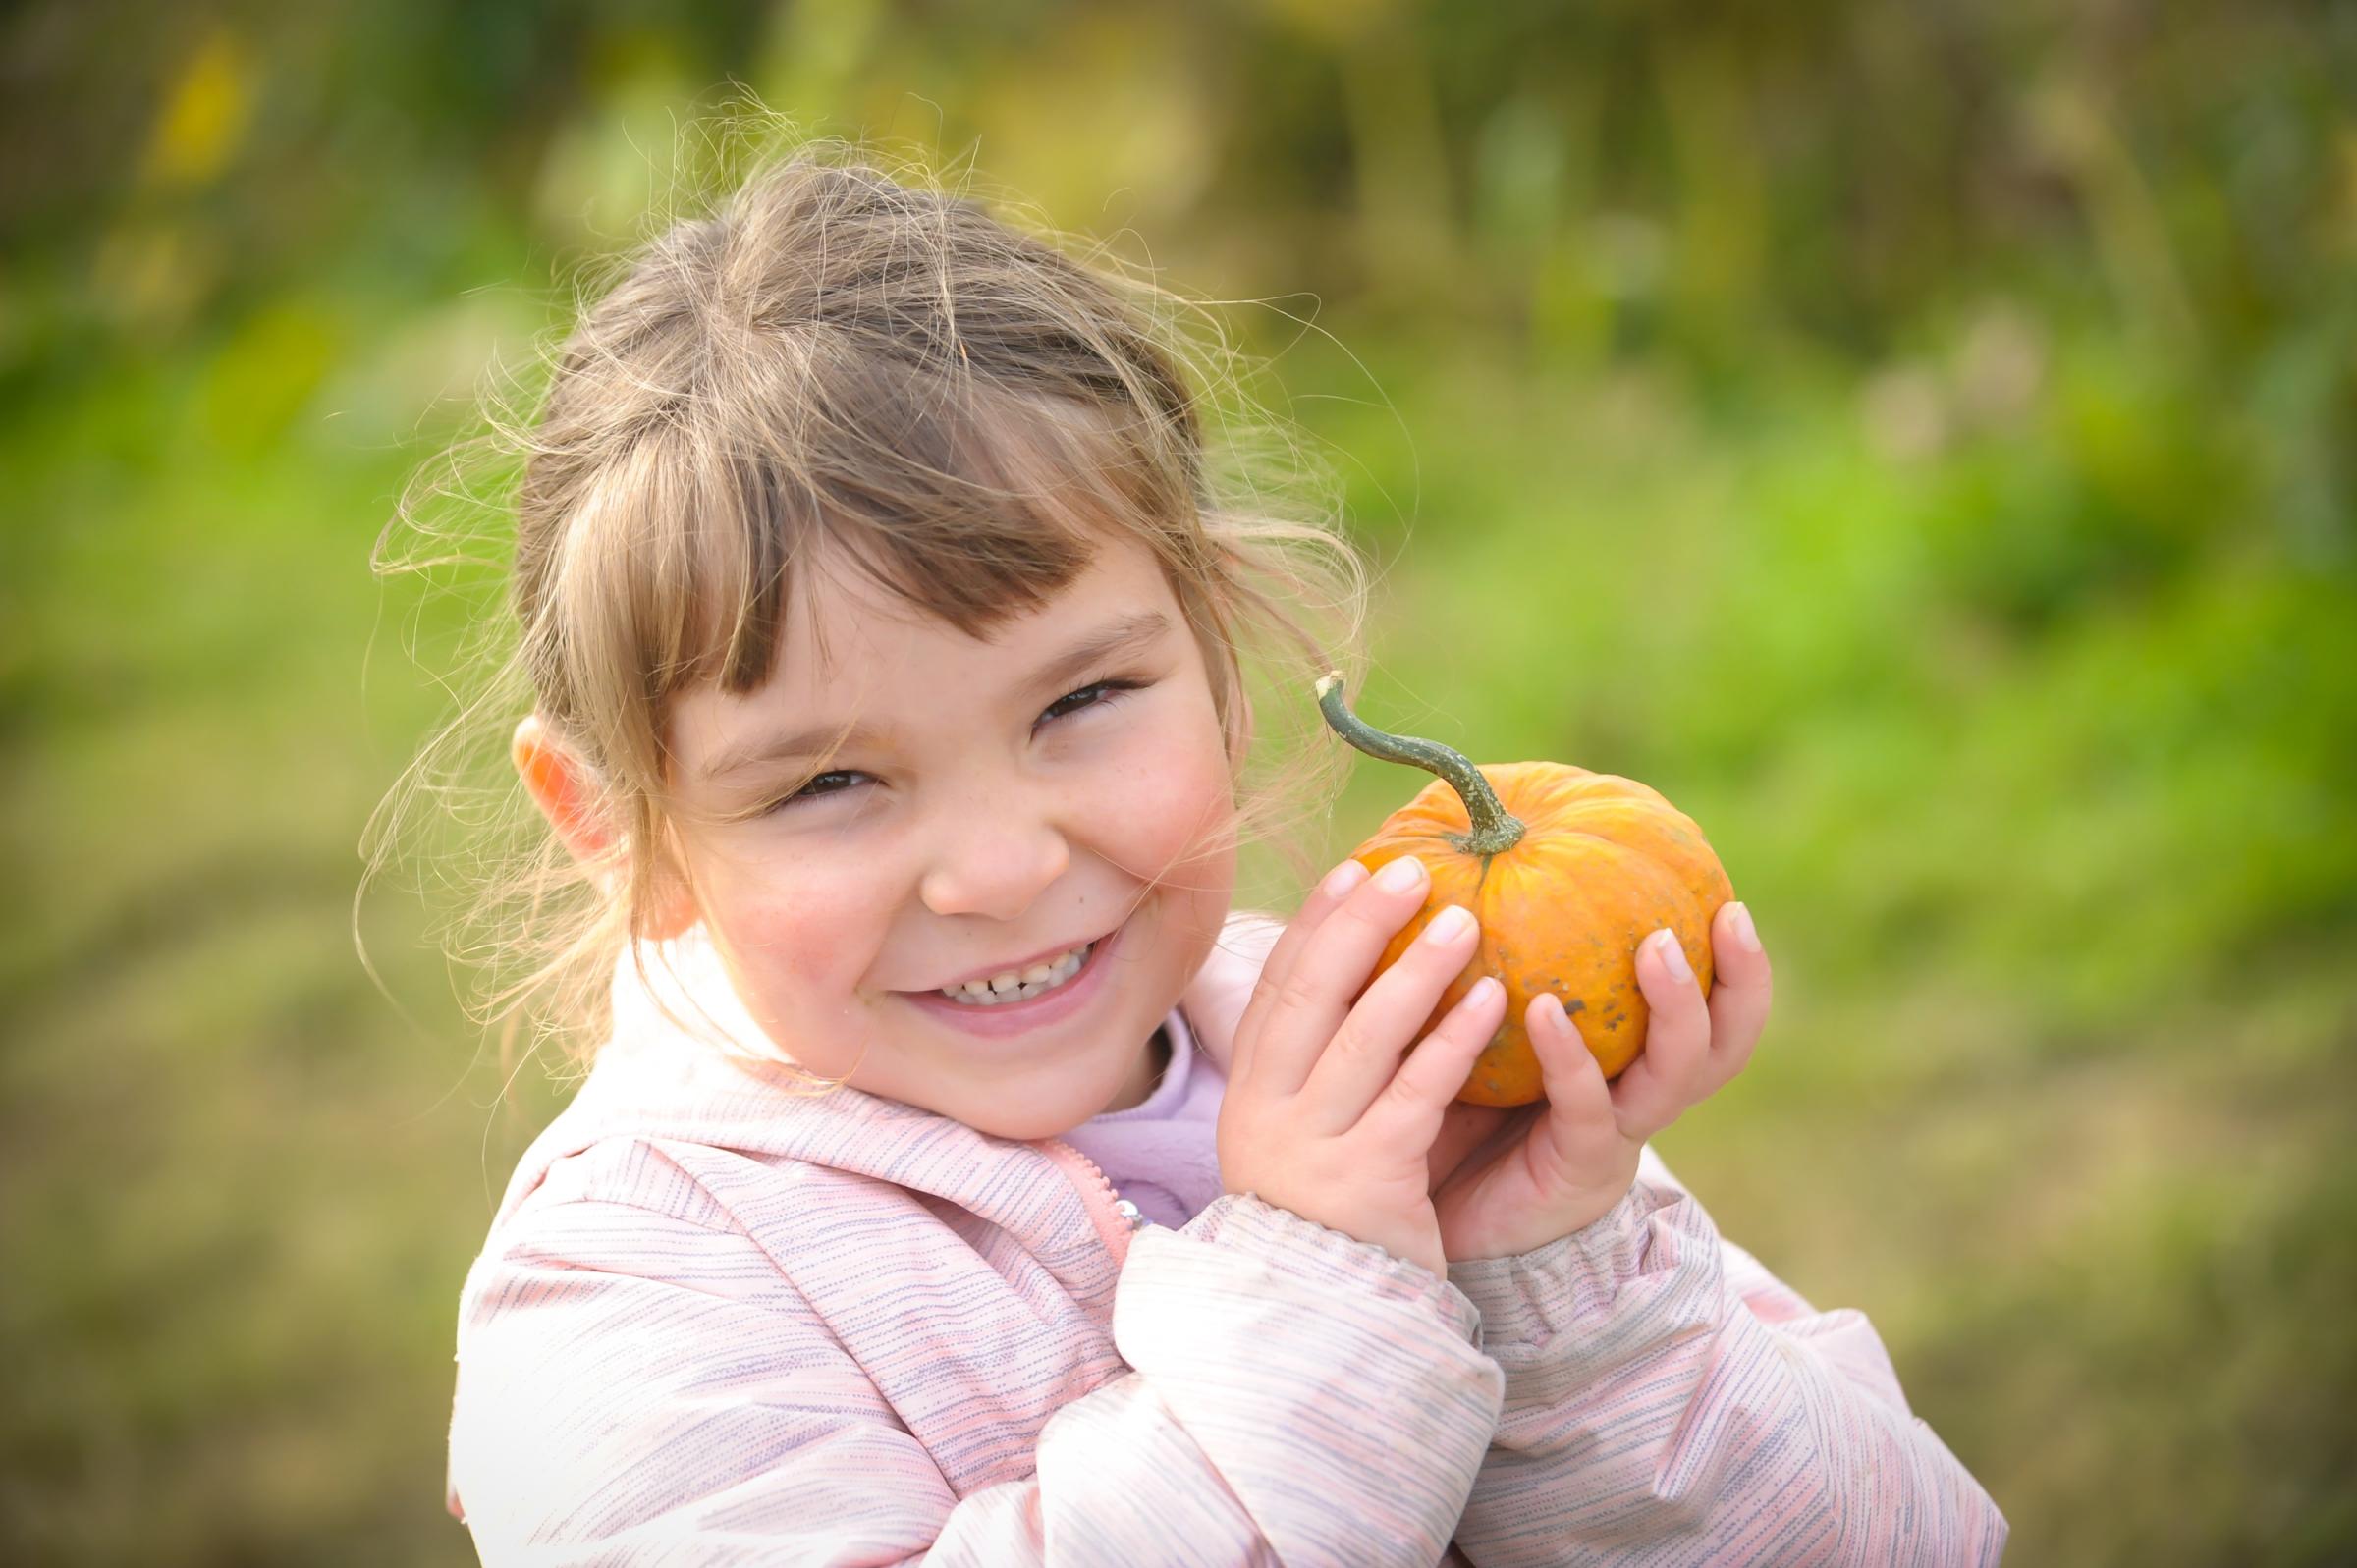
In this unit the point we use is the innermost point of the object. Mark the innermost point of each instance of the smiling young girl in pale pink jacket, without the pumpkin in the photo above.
(956, 1178)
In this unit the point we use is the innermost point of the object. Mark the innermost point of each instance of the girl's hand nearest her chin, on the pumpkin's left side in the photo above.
(1321, 1114)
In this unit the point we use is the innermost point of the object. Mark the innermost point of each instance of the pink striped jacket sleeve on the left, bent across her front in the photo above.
(1293, 1397)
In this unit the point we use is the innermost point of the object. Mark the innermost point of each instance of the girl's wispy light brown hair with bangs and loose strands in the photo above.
(859, 357)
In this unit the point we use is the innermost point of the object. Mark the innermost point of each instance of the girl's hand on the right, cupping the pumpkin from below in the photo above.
(1512, 1180)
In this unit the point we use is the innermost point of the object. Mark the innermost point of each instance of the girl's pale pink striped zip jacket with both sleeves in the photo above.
(720, 1322)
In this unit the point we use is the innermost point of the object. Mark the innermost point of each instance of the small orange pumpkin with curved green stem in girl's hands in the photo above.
(1566, 871)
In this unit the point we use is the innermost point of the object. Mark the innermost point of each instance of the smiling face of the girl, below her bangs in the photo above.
(1048, 798)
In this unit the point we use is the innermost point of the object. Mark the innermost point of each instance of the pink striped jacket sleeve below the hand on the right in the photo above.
(1670, 1402)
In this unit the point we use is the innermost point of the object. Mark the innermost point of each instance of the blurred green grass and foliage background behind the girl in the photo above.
(1920, 440)
